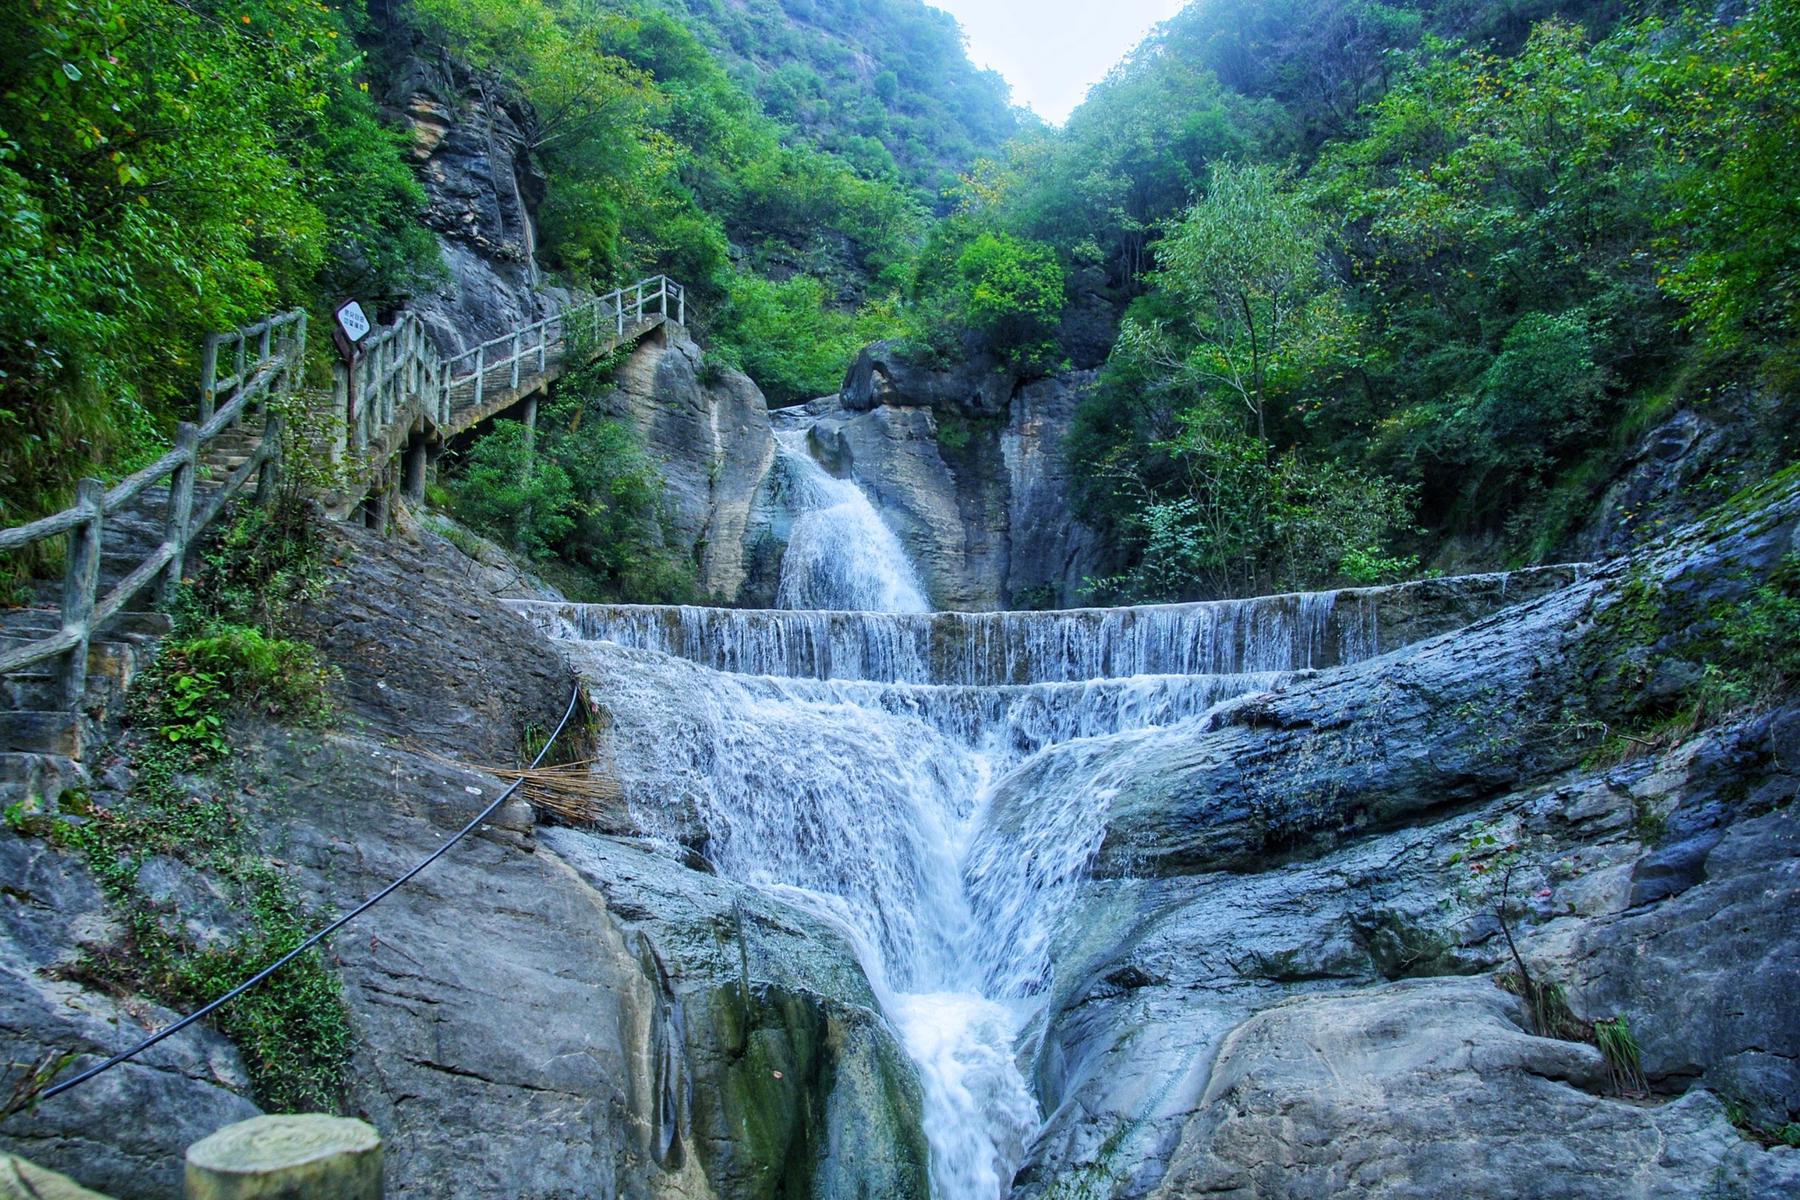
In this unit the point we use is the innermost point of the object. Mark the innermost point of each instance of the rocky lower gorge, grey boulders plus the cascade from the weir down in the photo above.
(1158, 902)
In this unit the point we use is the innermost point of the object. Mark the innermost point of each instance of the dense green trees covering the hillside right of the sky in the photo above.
(1443, 264)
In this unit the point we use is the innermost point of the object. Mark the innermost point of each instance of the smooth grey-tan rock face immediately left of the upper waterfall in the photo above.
(714, 440)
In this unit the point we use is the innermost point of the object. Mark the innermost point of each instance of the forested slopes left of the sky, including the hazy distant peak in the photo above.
(172, 170)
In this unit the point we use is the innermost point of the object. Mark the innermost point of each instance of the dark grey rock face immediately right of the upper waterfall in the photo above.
(969, 469)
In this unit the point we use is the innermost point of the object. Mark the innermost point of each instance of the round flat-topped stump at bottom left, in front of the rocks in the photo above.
(296, 1158)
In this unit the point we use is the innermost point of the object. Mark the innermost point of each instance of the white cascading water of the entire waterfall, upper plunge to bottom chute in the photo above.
(843, 755)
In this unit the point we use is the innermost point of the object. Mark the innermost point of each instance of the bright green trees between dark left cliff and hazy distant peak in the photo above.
(660, 161)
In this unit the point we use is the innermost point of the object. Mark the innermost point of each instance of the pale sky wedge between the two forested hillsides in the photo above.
(1052, 51)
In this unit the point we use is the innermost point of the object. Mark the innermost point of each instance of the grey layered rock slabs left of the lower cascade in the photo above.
(535, 1016)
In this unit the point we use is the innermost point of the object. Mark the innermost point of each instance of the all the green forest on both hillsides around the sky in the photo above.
(1376, 287)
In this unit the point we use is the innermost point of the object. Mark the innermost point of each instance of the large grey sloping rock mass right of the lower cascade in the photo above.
(1255, 994)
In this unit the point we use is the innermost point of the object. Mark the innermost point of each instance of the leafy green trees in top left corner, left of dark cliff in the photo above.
(168, 170)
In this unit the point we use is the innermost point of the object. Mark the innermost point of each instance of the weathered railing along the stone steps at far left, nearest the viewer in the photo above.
(269, 370)
